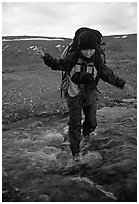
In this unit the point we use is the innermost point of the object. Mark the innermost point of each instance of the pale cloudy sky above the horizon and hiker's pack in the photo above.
(62, 19)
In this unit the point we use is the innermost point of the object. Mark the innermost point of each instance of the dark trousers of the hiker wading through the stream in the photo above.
(75, 109)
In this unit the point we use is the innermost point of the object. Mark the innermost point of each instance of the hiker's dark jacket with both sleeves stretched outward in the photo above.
(81, 78)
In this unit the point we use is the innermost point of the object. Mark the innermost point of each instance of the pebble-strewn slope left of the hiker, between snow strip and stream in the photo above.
(29, 87)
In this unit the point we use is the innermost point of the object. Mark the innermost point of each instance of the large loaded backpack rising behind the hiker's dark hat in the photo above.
(72, 47)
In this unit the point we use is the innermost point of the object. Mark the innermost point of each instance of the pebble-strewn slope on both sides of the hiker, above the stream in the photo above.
(29, 87)
